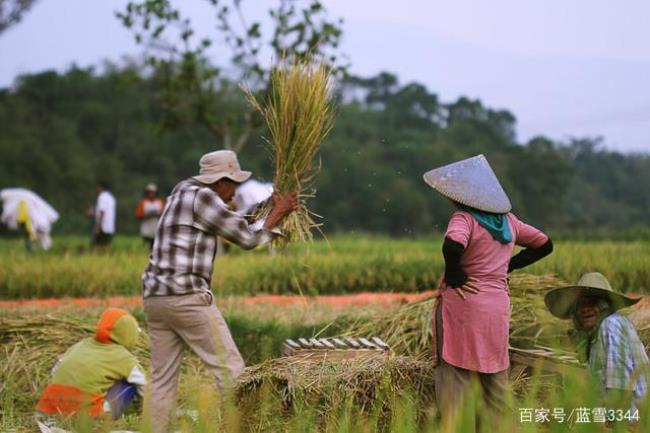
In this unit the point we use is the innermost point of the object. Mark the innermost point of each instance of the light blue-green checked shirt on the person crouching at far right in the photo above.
(618, 358)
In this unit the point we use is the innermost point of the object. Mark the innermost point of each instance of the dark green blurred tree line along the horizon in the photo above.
(64, 132)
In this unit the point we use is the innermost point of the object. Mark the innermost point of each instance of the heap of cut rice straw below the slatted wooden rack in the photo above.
(372, 385)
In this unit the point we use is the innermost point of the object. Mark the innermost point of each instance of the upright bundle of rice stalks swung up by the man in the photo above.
(299, 115)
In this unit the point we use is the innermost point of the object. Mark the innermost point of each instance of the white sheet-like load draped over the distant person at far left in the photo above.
(41, 214)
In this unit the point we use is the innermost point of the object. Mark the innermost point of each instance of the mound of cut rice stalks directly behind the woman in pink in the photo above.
(408, 329)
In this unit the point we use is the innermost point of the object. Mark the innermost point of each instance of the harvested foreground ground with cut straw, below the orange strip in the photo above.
(294, 395)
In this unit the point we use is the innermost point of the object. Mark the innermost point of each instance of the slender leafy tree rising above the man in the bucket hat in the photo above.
(196, 90)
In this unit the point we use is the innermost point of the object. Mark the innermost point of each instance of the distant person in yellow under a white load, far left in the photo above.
(25, 211)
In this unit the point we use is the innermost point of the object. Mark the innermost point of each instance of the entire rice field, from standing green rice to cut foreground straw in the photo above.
(395, 394)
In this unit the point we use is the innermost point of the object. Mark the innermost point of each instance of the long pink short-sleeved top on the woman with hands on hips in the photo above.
(476, 329)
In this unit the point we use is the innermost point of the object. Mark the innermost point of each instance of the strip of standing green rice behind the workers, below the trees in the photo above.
(344, 265)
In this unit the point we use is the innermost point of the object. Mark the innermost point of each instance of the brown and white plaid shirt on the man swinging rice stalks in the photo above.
(182, 258)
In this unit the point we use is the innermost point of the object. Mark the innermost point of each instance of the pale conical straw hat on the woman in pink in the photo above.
(470, 182)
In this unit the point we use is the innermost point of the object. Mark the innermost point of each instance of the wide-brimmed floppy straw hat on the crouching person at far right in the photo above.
(561, 301)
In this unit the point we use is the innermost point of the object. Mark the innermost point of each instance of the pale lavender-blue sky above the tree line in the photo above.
(563, 68)
